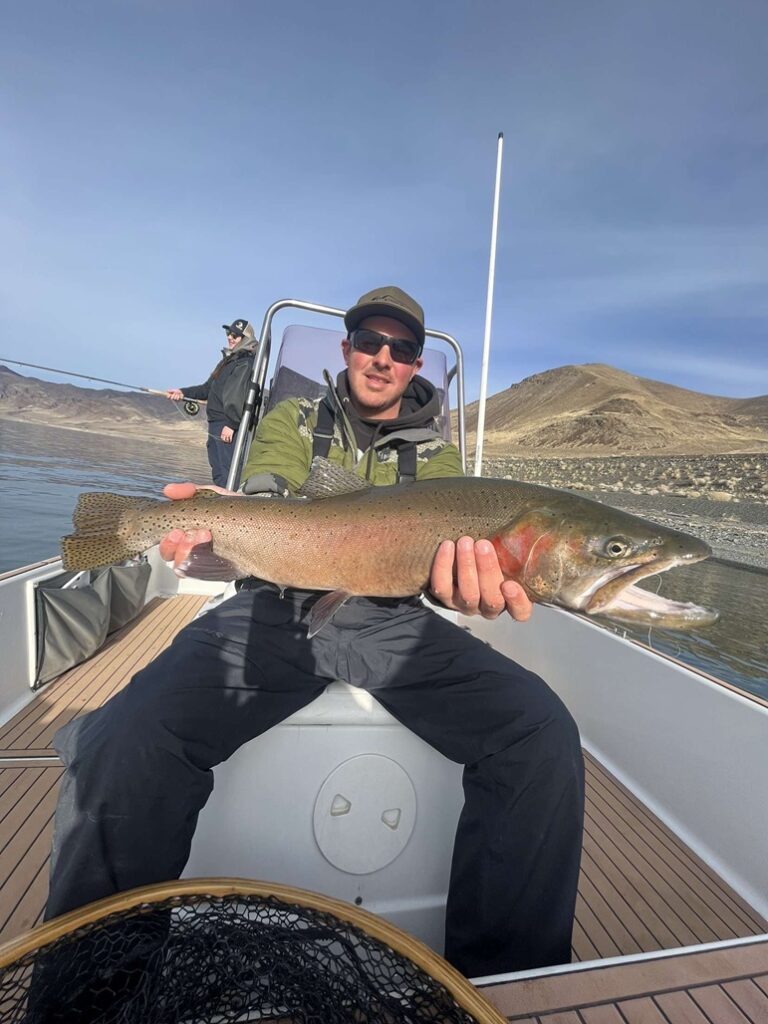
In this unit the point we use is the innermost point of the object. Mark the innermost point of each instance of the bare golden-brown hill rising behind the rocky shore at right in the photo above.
(598, 409)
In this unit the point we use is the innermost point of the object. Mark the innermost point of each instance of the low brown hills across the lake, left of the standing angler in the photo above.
(28, 400)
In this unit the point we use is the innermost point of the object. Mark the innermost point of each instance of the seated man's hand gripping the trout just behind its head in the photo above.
(466, 577)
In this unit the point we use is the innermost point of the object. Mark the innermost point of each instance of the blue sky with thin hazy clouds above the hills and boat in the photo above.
(170, 165)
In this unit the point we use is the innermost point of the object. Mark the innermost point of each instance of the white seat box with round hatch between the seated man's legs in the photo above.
(340, 799)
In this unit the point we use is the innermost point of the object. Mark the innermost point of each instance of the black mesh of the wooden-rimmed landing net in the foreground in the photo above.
(222, 959)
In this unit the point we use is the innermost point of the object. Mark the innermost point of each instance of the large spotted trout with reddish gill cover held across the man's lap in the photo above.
(380, 542)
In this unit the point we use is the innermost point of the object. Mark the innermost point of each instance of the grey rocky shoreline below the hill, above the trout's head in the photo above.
(721, 499)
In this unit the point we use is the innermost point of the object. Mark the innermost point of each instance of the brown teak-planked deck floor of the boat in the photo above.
(642, 889)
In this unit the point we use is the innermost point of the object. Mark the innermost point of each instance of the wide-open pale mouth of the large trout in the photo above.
(623, 602)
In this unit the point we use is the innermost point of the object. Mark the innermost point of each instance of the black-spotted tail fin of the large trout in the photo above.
(102, 536)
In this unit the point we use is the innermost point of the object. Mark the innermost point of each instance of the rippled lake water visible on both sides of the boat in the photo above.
(44, 470)
